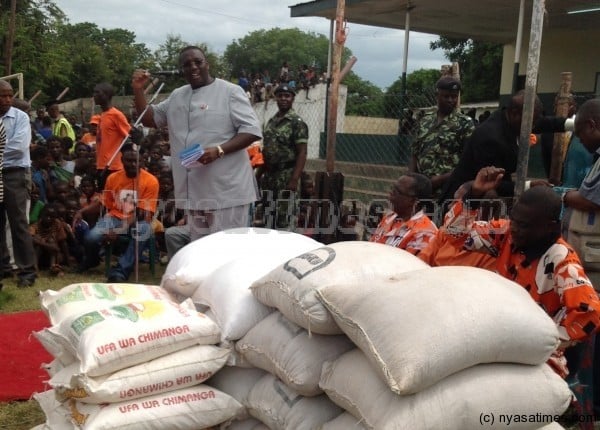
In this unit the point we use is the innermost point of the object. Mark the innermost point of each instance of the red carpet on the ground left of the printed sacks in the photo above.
(21, 355)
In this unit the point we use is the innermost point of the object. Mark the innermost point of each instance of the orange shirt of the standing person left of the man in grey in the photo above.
(113, 128)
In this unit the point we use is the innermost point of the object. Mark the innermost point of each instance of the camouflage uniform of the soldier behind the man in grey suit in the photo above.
(281, 136)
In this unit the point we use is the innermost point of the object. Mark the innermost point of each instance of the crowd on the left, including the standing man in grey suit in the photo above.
(77, 188)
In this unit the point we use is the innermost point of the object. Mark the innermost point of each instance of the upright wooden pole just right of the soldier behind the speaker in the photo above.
(338, 47)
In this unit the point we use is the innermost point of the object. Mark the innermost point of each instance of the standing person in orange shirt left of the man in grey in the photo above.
(112, 131)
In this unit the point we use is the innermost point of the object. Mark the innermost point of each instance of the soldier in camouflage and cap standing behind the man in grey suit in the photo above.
(285, 138)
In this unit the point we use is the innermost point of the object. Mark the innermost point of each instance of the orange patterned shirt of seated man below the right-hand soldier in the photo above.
(411, 235)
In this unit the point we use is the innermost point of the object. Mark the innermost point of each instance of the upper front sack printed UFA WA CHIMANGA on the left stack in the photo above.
(110, 339)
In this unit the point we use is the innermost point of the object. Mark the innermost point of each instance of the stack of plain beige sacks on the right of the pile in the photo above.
(432, 348)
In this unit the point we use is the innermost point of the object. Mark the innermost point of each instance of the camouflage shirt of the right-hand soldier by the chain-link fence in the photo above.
(437, 147)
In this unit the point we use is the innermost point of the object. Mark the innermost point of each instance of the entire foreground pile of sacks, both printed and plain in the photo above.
(350, 335)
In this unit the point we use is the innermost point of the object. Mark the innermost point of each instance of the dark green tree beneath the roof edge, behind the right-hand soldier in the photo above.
(480, 66)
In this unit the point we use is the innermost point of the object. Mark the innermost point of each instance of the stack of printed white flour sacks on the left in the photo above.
(127, 356)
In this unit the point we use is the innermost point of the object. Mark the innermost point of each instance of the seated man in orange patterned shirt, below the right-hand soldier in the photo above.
(403, 228)
